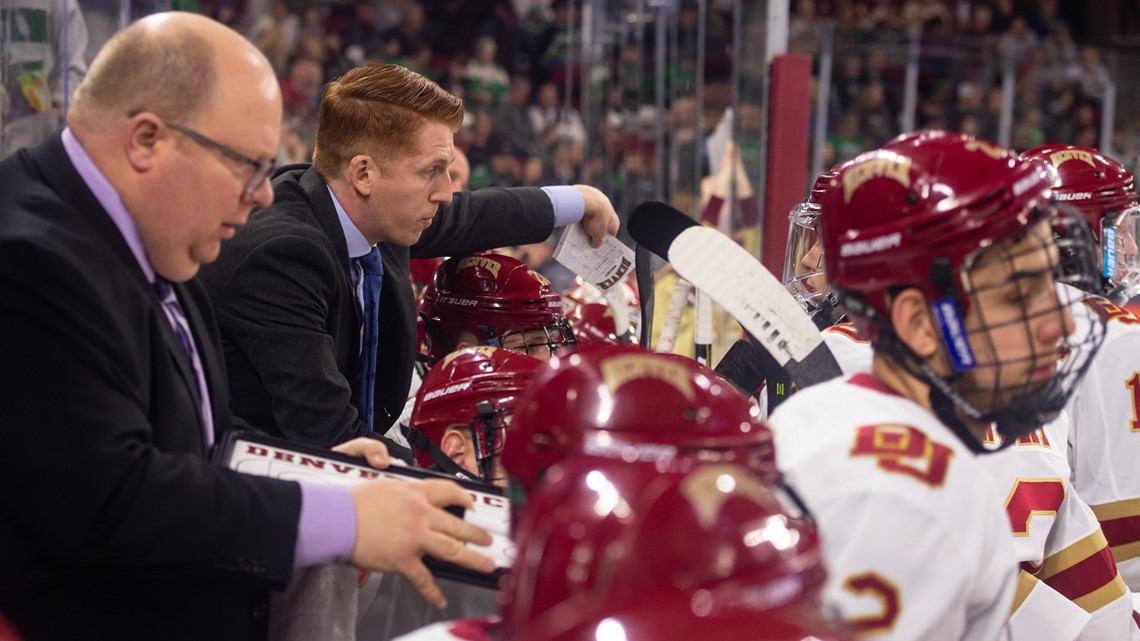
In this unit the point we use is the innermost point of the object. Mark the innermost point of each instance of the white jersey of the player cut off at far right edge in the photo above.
(1105, 437)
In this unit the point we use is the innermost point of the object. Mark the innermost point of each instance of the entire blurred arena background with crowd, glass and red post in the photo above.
(811, 83)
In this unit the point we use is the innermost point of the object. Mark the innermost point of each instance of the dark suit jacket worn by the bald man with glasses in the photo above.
(112, 524)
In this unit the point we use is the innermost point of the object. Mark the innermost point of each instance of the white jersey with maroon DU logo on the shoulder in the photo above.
(915, 538)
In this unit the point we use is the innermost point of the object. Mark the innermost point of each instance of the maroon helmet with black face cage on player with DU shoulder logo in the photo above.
(932, 210)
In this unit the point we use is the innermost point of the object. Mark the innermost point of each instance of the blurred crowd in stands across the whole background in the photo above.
(512, 64)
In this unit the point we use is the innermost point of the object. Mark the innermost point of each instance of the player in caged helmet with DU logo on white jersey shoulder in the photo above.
(947, 237)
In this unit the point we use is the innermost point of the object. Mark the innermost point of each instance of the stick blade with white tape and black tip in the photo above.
(715, 264)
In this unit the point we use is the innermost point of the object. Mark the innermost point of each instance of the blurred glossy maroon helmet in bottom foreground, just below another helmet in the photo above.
(606, 537)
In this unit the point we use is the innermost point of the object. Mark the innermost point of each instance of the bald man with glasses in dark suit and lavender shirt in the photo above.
(112, 380)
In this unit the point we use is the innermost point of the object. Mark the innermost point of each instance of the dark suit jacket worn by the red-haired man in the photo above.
(289, 314)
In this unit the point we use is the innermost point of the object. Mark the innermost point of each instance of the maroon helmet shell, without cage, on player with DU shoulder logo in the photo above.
(894, 212)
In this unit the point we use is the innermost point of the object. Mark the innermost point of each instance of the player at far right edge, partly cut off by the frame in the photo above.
(1105, 433)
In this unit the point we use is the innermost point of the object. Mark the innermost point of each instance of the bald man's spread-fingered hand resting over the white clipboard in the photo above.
(401, 522)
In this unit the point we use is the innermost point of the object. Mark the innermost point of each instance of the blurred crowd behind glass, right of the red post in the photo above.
(1058, 95)
